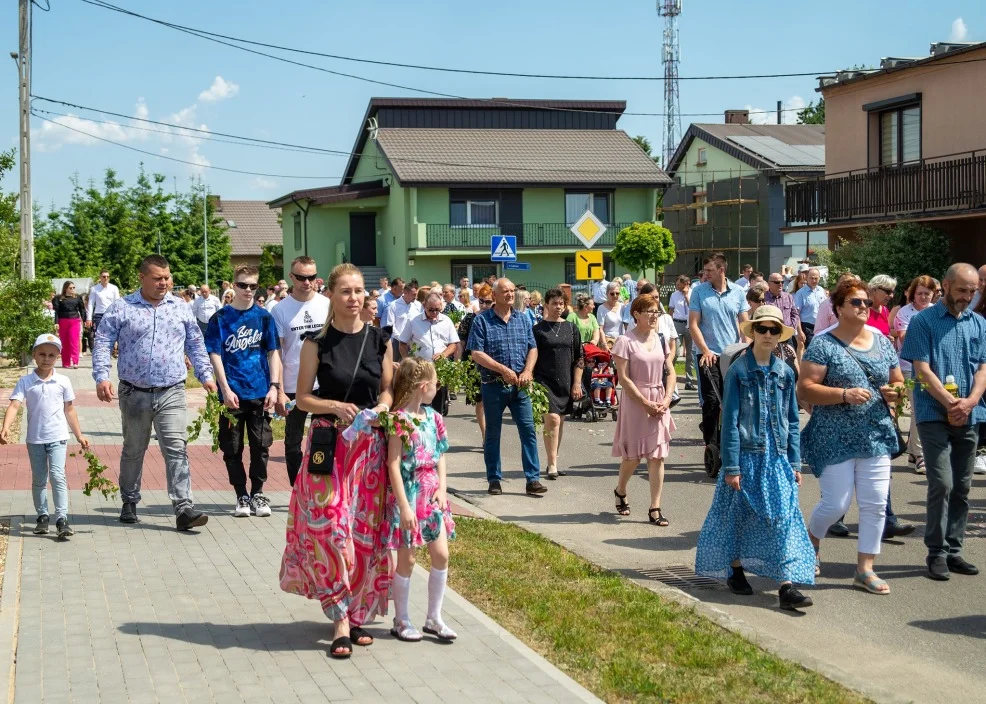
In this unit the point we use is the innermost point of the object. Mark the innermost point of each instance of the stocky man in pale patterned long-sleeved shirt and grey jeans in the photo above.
(155, 331)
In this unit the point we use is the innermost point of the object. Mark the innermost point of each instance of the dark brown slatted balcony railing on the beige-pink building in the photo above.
(953, 183)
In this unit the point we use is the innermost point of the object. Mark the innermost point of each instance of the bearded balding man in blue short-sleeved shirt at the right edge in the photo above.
(948, 339)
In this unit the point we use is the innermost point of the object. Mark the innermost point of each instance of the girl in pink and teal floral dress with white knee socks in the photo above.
(418, 511)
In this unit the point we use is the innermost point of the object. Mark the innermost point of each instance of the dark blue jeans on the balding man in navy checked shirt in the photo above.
(496, 399)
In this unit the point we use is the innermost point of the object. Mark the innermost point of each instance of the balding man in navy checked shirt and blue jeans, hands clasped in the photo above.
(502, 344)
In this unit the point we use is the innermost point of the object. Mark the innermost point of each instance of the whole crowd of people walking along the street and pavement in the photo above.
(369, 477)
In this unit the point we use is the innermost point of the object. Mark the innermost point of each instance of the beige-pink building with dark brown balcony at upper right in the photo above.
(905, 143)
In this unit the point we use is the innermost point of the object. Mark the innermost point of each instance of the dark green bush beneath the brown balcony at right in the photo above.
(903, 251)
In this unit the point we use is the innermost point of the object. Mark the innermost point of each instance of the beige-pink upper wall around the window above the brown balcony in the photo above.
(953, 103)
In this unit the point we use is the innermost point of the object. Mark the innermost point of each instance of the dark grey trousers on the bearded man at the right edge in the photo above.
(949, 455)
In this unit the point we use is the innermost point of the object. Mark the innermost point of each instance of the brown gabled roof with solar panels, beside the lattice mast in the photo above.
(761, 146)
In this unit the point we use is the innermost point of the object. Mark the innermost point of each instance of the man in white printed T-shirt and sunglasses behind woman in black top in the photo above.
(301, 313)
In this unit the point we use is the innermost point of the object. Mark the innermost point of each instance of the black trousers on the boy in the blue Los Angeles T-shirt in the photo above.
(253, 419)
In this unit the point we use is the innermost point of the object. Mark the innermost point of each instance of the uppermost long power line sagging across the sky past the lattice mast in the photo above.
(443, 69)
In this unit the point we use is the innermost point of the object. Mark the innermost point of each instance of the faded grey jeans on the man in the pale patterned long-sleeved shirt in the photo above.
(165, 410)
